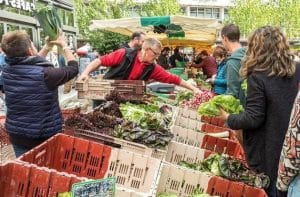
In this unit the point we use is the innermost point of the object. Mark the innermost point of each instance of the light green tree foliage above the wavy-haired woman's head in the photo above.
(252, 14)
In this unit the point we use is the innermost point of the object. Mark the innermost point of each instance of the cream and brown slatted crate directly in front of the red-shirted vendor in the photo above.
(98, 89)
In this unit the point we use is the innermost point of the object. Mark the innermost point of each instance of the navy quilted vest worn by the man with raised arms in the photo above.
(32, 109)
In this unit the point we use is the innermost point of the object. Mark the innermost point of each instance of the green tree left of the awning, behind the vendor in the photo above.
(100, 40)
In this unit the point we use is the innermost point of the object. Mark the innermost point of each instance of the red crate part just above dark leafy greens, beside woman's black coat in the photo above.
(220, 145)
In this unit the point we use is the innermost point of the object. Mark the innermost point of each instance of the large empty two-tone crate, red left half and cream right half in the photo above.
(82, 158)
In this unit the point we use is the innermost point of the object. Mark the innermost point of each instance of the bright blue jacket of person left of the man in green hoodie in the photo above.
(220, 83)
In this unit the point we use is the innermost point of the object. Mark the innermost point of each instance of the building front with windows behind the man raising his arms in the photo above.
(19, 14)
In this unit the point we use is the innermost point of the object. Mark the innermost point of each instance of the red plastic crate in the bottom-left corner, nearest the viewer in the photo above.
(22, 180)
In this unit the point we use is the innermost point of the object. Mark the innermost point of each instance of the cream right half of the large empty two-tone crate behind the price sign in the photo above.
(133, 171)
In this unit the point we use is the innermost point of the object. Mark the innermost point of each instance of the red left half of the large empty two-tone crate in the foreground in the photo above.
(72, 155)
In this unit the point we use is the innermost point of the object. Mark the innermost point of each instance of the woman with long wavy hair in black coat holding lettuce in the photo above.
(272, 88)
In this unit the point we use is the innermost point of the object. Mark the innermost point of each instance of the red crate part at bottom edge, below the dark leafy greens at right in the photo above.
(222, 187)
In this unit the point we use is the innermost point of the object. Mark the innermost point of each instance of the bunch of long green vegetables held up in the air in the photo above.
(49, 20)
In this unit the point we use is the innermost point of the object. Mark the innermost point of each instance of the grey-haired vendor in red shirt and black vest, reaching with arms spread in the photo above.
(131, 64)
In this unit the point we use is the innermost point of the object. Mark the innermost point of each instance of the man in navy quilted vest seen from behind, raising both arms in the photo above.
(31, 88)
